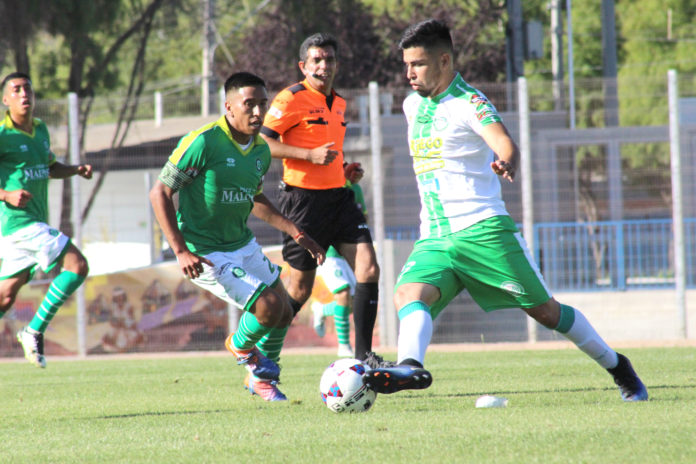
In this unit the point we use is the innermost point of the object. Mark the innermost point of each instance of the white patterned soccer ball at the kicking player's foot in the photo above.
(342, 389)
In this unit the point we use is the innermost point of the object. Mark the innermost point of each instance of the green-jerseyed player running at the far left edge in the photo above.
(26, 240)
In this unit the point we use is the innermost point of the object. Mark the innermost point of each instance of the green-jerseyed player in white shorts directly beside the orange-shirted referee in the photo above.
(218, 171)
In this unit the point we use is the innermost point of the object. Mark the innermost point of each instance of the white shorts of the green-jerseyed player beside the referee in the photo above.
(239, 276)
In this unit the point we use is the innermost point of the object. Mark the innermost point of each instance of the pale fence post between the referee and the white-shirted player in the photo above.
(377, 212)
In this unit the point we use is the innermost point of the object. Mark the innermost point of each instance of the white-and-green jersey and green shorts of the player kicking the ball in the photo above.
(467, 238)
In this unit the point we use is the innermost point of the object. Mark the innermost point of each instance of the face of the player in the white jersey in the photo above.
(426, 71)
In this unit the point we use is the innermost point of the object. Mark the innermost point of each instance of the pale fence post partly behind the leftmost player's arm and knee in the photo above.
(74, 144)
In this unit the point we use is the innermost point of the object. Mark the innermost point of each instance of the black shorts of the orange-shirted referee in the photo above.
(330, 217)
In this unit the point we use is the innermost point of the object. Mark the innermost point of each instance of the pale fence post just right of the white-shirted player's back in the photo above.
(526, 170)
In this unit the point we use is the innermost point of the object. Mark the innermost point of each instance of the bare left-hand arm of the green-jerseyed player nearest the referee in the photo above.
(161, 198)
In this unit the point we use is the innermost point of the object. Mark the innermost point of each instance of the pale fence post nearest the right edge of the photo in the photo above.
(677, 207)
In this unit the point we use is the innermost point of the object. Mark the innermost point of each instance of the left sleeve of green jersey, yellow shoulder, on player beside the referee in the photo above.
(185, 162)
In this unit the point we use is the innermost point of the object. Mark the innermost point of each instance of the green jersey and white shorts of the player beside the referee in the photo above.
(217, 180)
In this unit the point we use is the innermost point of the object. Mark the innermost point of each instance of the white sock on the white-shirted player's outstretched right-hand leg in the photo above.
(576, 328)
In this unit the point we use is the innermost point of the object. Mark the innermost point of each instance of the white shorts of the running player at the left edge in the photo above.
(36, 244)
